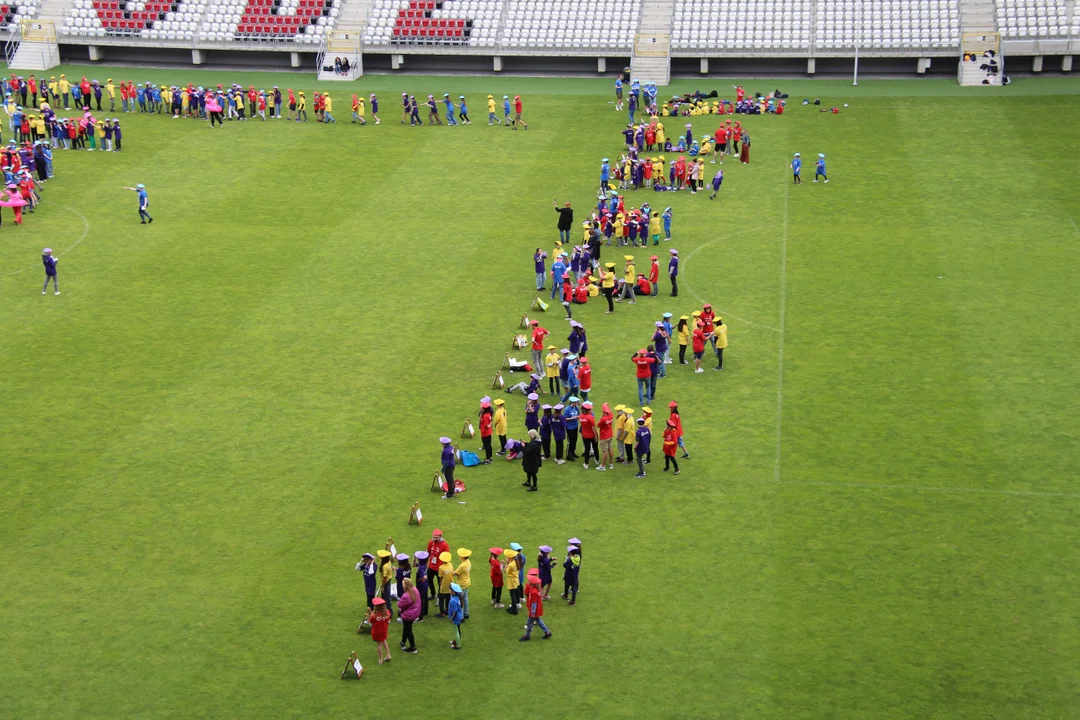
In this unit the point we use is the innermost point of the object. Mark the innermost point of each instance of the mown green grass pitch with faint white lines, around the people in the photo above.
(224, 411)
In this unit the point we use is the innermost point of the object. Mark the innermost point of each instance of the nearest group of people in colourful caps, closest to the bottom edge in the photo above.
(429, 577)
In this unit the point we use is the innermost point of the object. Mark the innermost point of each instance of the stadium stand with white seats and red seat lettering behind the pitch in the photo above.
(654, 37)
